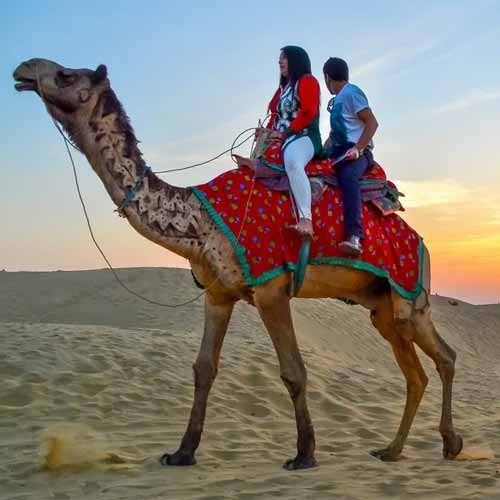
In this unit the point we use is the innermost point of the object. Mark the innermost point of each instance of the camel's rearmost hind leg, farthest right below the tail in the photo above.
(428, 339)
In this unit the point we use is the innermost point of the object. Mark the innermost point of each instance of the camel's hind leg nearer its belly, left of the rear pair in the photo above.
(416, 379)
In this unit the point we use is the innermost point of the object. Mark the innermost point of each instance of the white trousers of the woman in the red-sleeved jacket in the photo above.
(296, 156)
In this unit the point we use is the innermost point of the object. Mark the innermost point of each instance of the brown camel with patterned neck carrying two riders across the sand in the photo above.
(82, 101)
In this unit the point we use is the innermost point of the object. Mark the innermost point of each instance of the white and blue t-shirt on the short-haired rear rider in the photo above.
(345, 125)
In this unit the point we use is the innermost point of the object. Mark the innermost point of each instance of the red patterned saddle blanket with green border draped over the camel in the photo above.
(256, 220)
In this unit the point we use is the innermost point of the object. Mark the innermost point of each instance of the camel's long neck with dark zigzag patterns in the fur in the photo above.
(165, 214)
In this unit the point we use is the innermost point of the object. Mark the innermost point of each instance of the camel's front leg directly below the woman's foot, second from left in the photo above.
(274, 309)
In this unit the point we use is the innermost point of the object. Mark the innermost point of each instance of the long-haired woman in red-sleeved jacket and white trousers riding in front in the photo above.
(294, 120)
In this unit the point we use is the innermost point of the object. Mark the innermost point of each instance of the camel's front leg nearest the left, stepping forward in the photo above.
(217, 314)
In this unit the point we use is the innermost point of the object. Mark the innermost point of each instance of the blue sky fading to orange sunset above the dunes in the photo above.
(193, 74)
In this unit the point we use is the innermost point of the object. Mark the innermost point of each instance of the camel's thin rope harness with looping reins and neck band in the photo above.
(133, 192)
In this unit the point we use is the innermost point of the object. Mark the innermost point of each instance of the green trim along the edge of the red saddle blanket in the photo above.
(290, 266)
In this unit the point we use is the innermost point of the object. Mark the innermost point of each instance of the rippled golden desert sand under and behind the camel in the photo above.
(91, 378)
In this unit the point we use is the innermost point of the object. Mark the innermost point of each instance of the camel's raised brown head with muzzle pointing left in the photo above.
(69, 94)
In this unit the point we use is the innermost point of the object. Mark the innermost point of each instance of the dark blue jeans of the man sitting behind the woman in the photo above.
(349, 173)
